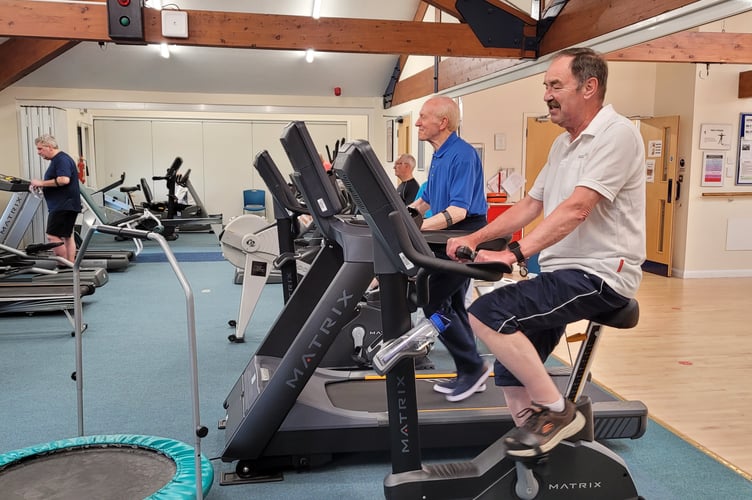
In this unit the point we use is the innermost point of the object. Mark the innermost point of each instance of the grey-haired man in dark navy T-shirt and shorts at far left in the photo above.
(61, 193)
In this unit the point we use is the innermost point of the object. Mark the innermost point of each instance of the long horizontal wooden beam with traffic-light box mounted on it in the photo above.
(85, 21)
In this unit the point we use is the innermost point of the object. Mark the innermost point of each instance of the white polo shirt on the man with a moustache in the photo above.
(608, 157)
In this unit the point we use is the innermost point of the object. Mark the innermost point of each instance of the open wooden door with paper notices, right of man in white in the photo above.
(661, 137)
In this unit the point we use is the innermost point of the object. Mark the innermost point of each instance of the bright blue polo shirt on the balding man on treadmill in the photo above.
(456, 178)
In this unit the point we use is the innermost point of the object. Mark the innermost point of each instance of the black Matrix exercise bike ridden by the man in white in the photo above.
(578, 468)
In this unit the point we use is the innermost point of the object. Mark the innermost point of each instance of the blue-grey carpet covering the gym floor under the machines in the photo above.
(136, 381)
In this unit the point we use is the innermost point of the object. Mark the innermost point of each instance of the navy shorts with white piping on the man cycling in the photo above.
(542, 307)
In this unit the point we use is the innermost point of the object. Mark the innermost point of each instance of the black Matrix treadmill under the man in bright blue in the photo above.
(286, 411)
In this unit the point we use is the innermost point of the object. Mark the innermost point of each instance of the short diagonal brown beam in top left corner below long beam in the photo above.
(21, 56)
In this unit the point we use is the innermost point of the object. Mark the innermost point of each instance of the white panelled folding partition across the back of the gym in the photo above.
(218, 153)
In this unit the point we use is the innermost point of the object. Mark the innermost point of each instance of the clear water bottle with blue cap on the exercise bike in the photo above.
(414, 343)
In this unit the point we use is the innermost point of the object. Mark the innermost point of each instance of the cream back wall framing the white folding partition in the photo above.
(86, 105)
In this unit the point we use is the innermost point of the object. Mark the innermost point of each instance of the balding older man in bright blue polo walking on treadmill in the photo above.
(455, 194)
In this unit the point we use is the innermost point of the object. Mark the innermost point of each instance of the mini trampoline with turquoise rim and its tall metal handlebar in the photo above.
(117, 466)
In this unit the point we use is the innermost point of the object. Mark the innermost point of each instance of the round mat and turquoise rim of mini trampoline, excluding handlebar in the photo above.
(119, 466)
